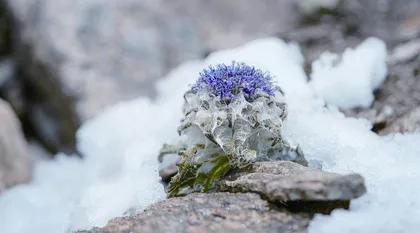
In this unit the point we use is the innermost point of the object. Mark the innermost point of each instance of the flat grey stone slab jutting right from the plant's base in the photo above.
(287, 181)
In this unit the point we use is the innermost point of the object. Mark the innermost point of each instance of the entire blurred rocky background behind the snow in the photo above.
(63, 61)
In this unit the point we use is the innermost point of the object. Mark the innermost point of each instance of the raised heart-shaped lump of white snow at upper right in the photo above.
(350, 82)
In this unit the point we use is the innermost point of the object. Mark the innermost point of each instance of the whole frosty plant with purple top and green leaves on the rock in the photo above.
(233, 115)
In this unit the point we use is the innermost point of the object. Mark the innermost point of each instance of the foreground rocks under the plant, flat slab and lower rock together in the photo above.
(291, 193)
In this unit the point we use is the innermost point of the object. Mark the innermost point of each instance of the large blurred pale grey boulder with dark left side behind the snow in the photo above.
(78, 57)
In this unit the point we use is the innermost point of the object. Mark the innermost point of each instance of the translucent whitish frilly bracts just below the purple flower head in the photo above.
(239, 127)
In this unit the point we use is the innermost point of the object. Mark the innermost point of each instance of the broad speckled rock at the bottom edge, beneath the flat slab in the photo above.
(215, 212)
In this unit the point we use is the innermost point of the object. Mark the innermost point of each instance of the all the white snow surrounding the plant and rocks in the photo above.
(120, 145)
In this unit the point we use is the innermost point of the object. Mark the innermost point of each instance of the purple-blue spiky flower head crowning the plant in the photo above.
(227, 81)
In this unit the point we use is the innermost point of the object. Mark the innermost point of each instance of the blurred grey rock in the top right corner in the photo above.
(385, 19)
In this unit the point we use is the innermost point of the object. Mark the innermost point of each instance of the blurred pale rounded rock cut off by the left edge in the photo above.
(14, 161)
